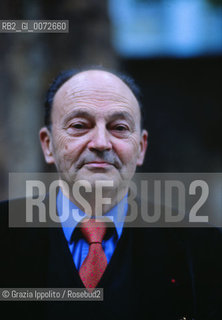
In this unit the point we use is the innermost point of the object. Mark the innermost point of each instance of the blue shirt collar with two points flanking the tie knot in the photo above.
(70, 214)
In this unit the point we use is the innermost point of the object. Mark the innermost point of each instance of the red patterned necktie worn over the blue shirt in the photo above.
(95, 263)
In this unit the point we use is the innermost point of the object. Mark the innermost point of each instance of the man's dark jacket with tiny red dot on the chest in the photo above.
(154, 273)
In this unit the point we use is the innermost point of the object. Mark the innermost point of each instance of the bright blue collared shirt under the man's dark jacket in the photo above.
(71, 215)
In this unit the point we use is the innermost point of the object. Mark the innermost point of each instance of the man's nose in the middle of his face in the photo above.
(100, 140)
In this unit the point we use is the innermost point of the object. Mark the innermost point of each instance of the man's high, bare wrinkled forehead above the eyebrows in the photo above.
(94, 88)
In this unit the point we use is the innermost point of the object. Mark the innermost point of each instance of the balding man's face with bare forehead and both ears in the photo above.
(96, 132)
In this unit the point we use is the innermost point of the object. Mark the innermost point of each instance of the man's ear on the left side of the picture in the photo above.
(46, 143)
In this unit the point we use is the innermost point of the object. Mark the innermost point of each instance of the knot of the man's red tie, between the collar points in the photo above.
(93, 230)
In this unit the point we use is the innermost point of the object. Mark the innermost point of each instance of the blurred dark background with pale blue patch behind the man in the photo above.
(172, 48)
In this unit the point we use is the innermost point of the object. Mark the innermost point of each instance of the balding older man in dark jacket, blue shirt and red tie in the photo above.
(93, 133)
